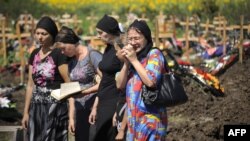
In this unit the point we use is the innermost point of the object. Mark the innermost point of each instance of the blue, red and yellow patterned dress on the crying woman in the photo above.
(145, 123)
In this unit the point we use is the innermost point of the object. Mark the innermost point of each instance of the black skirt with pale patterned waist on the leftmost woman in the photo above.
(48, 119)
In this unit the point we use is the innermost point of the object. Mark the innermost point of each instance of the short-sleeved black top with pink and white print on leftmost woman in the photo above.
(45, 71)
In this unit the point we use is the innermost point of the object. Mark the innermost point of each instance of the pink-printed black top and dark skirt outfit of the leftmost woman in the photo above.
(48, 118)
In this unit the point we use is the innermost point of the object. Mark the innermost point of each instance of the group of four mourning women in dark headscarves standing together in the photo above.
(94, 114)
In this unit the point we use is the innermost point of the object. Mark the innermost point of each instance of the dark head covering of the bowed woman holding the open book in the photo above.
(67, 35)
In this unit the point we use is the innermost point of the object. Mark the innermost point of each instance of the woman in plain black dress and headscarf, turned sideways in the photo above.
(107, 96)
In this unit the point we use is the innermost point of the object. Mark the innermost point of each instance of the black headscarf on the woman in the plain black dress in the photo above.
(109, 25)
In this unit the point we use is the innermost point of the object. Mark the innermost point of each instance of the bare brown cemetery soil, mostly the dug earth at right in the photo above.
(202, 118)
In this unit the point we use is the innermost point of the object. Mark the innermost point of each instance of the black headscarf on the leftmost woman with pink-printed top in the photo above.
(49, 25)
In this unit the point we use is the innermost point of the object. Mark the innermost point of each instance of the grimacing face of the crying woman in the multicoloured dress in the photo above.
(136, 40)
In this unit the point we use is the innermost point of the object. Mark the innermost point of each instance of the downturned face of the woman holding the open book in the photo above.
(67, 49)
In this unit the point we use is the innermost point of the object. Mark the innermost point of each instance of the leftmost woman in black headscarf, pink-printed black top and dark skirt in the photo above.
(45, 118)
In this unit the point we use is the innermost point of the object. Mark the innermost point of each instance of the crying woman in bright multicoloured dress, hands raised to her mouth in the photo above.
(143, 65)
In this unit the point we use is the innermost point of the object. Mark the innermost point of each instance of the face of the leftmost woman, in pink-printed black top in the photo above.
(43, 38)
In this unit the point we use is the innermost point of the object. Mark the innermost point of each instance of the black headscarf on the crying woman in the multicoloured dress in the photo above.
(145, 30)
